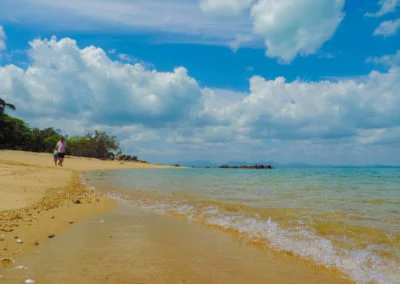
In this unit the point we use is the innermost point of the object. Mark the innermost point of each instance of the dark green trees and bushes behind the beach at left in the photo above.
(15, 134)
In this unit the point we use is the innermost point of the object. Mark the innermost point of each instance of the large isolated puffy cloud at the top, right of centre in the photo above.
(296, 27)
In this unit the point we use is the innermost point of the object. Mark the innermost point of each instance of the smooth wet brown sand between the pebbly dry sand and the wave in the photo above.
(133, 246)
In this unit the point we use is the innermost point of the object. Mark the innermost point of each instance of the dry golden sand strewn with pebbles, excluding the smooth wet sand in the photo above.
(38, 200)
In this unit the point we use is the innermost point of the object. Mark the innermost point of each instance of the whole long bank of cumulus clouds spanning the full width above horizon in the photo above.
(76, 88)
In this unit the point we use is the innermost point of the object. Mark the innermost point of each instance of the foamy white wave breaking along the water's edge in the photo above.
(363, 266)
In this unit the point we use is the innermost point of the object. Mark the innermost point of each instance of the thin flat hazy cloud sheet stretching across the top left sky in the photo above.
(183, 19)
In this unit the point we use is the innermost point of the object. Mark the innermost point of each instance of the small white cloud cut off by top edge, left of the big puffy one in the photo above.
(224, 6)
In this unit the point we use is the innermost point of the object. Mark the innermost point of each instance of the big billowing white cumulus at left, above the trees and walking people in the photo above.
(67, 81)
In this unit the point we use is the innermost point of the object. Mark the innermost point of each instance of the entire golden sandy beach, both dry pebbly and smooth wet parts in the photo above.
(68, 232)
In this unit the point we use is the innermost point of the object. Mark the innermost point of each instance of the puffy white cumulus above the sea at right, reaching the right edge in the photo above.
(330, 110)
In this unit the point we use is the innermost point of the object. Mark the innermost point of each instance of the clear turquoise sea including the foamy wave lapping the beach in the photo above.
(343, 219)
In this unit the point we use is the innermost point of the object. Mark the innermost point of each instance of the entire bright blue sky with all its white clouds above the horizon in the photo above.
(311, 81)
